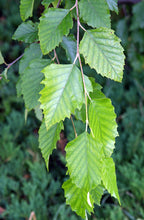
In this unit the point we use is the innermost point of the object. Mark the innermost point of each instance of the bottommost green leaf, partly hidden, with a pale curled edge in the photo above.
(79, 199)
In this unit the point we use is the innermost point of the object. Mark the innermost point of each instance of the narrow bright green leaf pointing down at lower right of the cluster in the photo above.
(109, 177)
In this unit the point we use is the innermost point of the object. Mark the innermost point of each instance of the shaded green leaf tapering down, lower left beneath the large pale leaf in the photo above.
(48, 139)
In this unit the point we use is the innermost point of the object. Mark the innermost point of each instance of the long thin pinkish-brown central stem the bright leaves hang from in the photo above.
(78, 56)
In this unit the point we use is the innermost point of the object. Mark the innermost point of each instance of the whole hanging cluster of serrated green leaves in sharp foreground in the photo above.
(62, 89)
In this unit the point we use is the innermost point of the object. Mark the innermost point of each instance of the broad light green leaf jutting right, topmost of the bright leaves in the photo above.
(103, 52)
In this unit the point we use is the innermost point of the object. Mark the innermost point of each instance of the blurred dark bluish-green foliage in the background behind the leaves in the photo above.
(25, 185)
